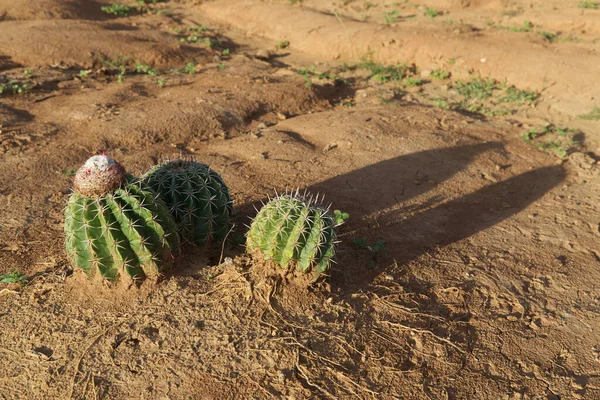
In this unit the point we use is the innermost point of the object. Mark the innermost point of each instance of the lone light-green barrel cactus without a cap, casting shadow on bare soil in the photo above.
(292, 230)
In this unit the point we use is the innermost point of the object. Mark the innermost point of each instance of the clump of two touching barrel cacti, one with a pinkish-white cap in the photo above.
(119, 226)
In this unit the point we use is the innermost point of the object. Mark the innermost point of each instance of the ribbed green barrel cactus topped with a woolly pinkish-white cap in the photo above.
(115, 226)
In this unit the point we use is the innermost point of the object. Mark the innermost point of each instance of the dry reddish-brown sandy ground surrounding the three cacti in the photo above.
(485, 193)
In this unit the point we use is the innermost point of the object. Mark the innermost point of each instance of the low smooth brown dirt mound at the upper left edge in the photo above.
(73, 42)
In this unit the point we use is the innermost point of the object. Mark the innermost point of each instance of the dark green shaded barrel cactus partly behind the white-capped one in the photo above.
(197, 198)
